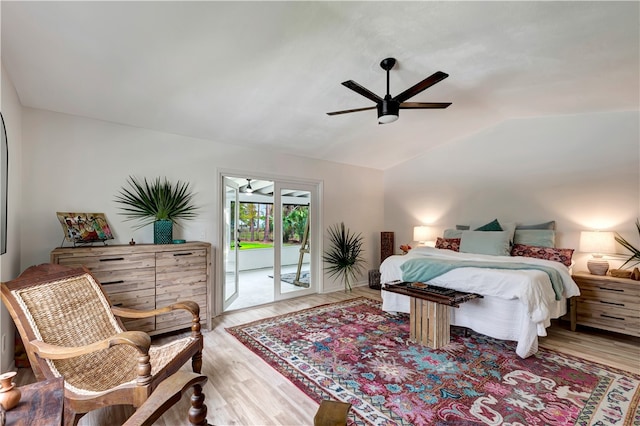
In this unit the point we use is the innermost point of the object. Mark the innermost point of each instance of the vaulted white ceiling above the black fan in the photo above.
(264, 74)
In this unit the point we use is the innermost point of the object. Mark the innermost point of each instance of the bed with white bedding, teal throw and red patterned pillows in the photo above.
(523, 290)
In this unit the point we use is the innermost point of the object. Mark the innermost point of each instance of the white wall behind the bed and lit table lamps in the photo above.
(582, 171)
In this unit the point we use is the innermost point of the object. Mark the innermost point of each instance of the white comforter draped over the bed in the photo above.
(530, 289)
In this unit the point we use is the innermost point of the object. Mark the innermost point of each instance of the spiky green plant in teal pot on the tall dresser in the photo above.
(159, 202)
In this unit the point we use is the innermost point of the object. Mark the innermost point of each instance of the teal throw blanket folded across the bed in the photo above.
(423, 270)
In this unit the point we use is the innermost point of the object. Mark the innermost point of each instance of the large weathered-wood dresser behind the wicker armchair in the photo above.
(148, 276)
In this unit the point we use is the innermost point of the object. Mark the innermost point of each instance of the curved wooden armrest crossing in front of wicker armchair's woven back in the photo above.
(138, 339)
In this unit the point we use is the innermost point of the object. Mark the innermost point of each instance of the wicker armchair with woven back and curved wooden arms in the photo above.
(70, 330)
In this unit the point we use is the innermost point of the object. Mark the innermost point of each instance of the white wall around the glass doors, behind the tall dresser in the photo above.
(77, 164)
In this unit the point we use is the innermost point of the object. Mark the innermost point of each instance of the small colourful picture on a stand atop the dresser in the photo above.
(84, 228)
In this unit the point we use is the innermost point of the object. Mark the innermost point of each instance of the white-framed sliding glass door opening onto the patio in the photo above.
(269, 240)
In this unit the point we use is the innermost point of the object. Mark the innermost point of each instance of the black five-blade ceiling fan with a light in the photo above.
(389, 107)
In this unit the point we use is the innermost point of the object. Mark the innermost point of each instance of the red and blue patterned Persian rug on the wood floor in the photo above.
(353, 352)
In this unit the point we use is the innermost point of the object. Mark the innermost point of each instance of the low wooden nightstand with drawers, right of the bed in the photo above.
(607, 303)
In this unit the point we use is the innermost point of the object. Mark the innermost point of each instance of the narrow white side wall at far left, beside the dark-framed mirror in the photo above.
(10, 261)
